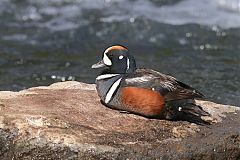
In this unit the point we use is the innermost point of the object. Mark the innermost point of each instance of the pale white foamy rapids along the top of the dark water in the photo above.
(64, 15)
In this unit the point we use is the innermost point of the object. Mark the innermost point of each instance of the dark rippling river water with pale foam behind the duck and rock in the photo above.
(47, 41)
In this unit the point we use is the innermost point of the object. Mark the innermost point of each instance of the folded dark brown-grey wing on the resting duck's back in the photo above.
(166, 85)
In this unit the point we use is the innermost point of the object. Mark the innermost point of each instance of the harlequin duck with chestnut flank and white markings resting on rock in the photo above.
(122, 86)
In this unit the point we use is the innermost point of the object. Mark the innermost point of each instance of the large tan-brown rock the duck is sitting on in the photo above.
(67, 121)
